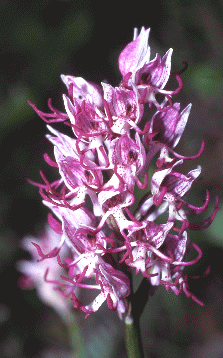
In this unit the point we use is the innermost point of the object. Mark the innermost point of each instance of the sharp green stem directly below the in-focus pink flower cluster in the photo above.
(132, 338)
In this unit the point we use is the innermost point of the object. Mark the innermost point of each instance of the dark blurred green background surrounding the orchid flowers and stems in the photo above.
(39, 40)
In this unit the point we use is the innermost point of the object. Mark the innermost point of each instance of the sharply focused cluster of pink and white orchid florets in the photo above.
(116, 140)
